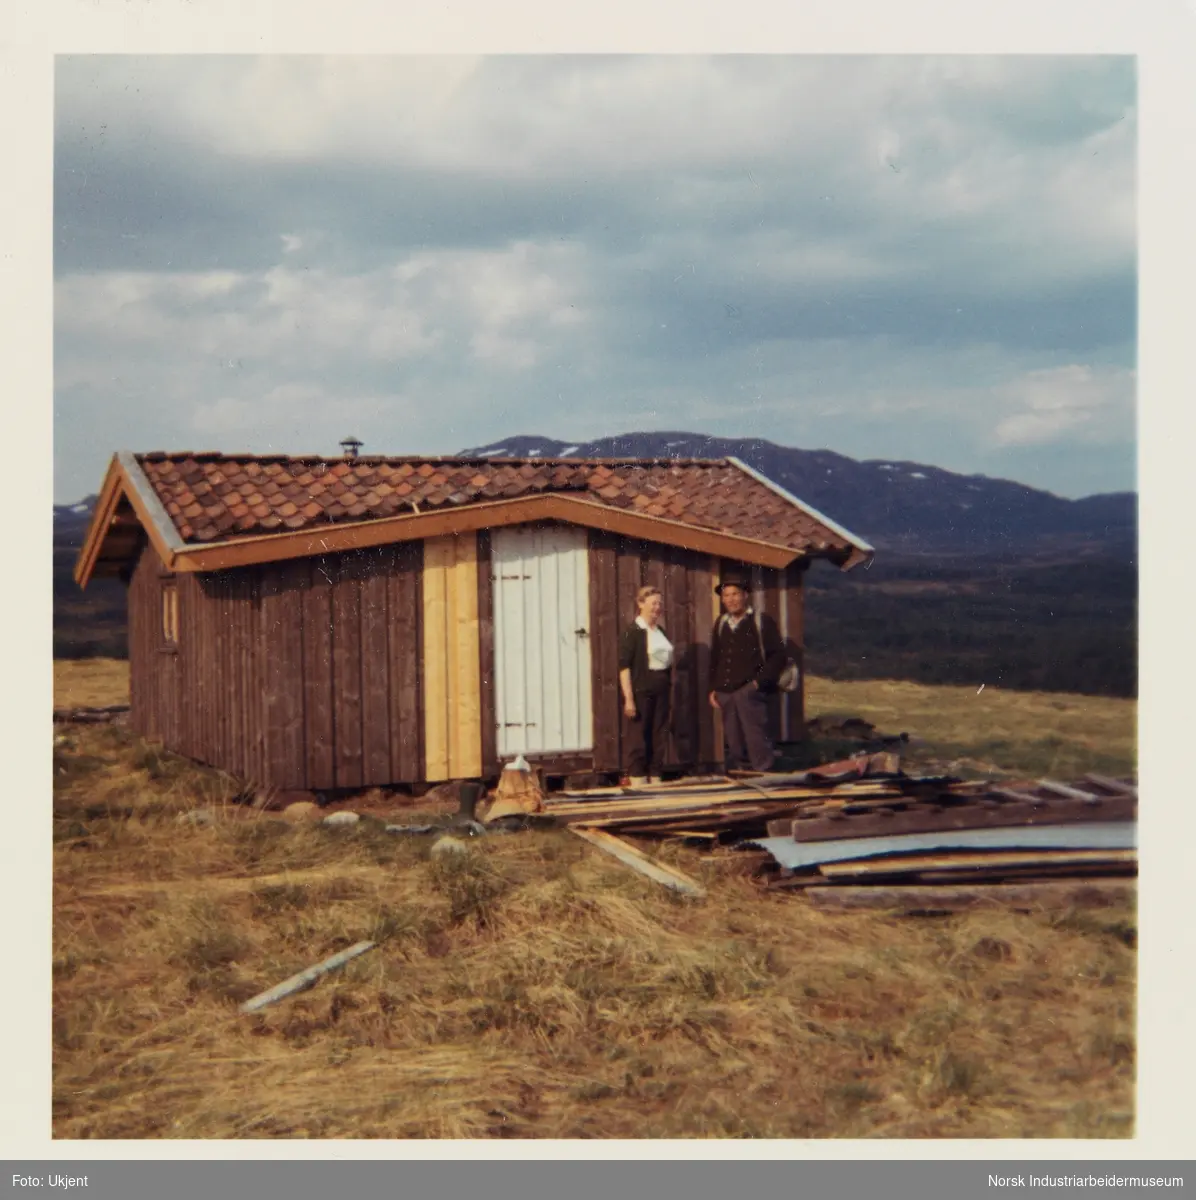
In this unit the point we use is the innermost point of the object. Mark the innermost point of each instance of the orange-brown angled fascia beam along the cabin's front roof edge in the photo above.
(471, 518)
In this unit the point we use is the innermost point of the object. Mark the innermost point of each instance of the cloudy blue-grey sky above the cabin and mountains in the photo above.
(931, 260)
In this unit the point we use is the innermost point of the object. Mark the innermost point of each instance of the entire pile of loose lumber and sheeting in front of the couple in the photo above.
(861, 833)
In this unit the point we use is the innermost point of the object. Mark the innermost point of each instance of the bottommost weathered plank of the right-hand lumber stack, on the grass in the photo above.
(1026, 897)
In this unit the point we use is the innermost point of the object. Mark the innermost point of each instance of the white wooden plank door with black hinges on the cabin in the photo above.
(542, 640)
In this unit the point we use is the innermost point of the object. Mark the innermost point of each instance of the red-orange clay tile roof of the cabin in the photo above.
(214, 497)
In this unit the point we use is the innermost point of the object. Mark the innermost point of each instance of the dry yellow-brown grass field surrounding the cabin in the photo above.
(533, 988)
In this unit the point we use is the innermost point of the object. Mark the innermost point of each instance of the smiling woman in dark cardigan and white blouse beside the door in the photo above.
(646, 670)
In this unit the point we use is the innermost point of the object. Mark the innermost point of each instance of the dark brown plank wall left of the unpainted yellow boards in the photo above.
(298, 676)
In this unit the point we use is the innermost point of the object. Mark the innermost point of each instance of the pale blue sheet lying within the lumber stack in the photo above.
(1091, 836)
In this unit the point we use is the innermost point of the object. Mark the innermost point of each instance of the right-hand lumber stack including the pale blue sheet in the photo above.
(993, 837)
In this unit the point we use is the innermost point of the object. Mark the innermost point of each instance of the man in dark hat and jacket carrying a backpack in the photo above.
(742, 676)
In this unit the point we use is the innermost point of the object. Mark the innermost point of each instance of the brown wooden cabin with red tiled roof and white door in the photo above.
(328, 625)
